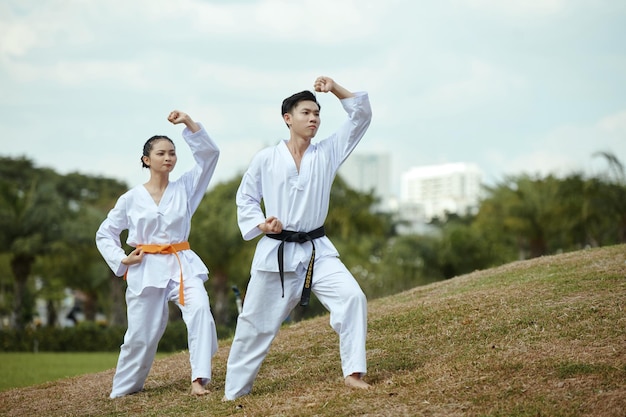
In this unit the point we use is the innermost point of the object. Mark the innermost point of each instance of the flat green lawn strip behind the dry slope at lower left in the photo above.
(26, 369)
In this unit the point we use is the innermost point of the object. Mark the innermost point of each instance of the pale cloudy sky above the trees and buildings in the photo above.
(517, 87)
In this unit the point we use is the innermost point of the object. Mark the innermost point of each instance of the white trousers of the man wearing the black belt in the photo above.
(264, 310)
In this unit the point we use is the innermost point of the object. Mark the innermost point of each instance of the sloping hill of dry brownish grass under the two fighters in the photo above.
(544, 337)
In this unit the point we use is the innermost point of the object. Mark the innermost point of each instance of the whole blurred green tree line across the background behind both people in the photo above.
(48, 223)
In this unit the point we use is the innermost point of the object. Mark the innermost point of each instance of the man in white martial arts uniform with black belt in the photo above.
(294, 179)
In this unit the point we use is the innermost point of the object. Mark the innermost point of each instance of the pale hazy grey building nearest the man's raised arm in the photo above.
(369, 172)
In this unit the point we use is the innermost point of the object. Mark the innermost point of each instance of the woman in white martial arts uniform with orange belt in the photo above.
(162, 267)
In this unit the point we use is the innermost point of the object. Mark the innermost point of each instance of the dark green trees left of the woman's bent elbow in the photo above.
(51, 218)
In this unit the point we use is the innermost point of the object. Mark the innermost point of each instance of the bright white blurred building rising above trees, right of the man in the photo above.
(433, 191)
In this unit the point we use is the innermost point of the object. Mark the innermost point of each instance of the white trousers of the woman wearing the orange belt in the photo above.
(147, 319)
